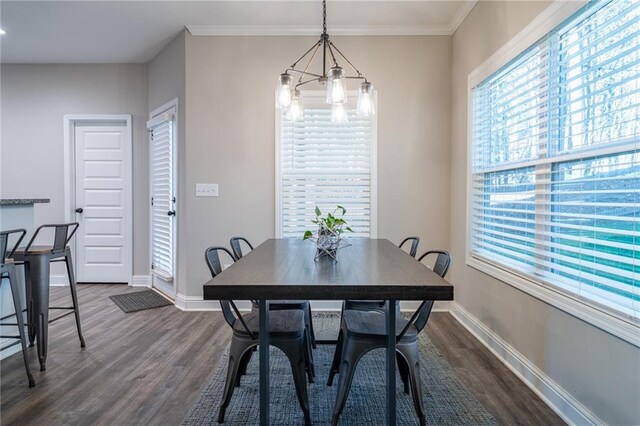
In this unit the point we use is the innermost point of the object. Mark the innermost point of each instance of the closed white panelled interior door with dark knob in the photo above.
(103, 202)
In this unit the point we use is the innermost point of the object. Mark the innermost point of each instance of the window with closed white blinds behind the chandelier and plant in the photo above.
(325, 164)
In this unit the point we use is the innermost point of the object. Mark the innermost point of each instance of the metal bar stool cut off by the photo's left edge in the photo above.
(8, 271)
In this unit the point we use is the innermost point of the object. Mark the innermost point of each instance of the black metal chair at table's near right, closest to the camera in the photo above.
(363, 331)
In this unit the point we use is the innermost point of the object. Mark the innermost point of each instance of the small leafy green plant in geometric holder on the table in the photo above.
(328, 238)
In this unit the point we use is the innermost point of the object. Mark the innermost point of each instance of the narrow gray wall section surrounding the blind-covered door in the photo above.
(166, 79)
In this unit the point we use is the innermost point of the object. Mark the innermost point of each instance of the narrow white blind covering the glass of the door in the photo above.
(162, 193)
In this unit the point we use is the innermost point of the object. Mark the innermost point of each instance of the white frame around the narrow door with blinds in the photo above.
(171, 291)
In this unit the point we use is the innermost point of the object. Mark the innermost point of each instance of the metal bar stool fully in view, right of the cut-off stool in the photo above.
(37, 260)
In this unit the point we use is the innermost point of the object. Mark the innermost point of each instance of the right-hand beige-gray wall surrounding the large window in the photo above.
(598, 369)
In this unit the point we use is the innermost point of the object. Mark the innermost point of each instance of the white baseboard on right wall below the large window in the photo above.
(556, 397)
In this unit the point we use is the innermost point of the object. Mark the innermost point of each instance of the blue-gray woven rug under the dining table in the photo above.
(446, 400)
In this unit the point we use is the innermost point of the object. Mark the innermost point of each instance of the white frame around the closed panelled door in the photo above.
(70, 121)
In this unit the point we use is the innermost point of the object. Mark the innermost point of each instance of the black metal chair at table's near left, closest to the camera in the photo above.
(286, 332)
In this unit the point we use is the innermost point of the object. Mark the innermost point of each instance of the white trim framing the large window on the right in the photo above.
(549, 19)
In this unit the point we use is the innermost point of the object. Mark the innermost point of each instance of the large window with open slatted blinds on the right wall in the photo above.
(555, 162)
